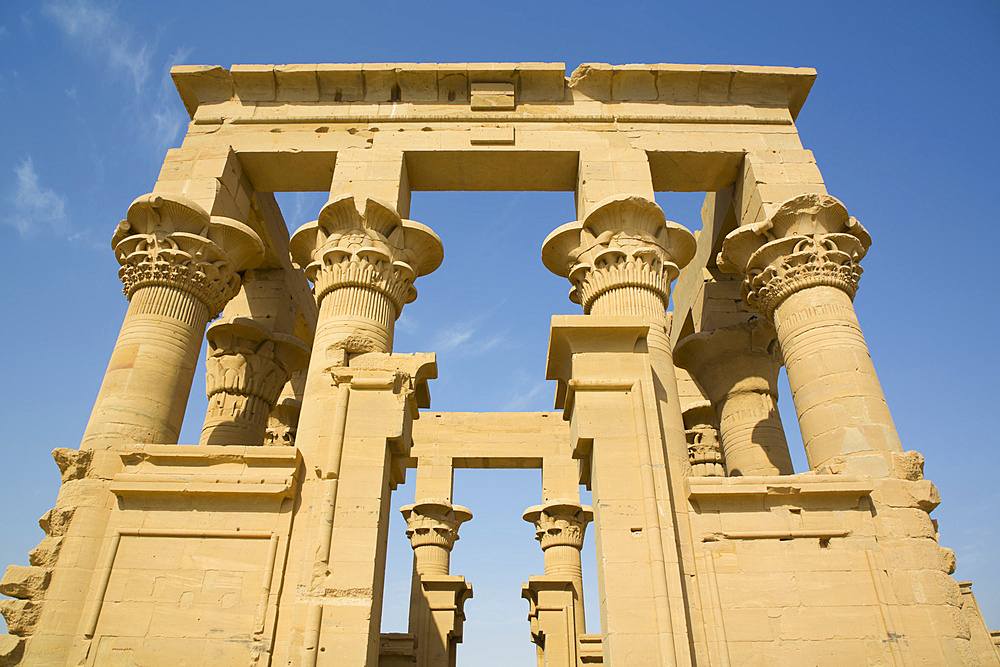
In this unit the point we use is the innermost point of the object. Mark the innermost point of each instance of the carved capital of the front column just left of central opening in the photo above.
(368, 245)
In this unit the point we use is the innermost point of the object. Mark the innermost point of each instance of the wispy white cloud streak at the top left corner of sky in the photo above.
(102, 33)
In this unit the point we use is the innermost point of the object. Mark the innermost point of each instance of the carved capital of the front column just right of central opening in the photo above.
(621, 258)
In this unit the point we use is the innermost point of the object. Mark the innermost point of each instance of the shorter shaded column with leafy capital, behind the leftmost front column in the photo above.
(246, 369)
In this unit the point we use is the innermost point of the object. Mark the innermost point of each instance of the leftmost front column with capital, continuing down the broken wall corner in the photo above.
(179, 268)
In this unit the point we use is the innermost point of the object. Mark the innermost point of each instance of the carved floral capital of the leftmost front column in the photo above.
(172, 241)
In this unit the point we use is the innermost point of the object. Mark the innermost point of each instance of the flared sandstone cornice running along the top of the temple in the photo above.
(411, 87)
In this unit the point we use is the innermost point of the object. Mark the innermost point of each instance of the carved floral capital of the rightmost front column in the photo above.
(811, 240)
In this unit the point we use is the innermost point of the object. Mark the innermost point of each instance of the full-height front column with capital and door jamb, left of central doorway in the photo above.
(362, 259)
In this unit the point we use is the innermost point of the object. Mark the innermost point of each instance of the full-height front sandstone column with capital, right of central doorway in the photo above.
(621, 259)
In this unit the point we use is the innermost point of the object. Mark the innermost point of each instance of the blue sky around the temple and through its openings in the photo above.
(902, 120)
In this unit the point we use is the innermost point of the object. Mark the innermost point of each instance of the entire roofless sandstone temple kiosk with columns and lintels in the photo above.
(264, 543)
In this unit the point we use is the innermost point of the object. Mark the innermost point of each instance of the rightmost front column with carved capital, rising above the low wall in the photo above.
(801, 270)
